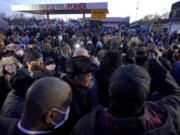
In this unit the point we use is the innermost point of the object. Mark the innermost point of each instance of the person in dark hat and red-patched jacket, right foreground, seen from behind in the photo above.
(129, 112)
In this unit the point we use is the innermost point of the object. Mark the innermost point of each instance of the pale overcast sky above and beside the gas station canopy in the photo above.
(117, 8)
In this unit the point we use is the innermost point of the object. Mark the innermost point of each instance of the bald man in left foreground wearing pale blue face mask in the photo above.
(45, 112)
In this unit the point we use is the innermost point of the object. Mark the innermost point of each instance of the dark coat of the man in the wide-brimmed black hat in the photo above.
(80, 104)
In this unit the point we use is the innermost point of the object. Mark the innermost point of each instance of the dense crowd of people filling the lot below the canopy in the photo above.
(89, 81)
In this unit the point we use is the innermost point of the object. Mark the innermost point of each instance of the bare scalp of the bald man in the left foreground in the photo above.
(47, 93)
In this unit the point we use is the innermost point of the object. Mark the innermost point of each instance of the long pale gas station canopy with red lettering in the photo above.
(70, 8)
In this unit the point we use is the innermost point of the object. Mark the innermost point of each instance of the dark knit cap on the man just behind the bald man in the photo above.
(31, 55)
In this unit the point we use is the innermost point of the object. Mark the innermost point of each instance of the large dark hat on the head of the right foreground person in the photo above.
(130, 87)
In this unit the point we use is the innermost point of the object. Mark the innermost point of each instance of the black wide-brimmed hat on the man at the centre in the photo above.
(80, 65)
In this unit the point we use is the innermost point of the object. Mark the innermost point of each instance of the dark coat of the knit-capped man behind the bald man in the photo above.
(20, 82)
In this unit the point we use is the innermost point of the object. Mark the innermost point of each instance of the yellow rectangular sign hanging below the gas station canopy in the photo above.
(98, 14)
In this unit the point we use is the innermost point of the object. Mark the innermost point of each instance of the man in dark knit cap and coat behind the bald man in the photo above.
(20, 82)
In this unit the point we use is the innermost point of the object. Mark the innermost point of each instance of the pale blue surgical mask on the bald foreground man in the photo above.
(57, 125)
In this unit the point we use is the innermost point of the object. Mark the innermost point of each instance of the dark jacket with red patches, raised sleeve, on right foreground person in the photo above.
(157, 118)
